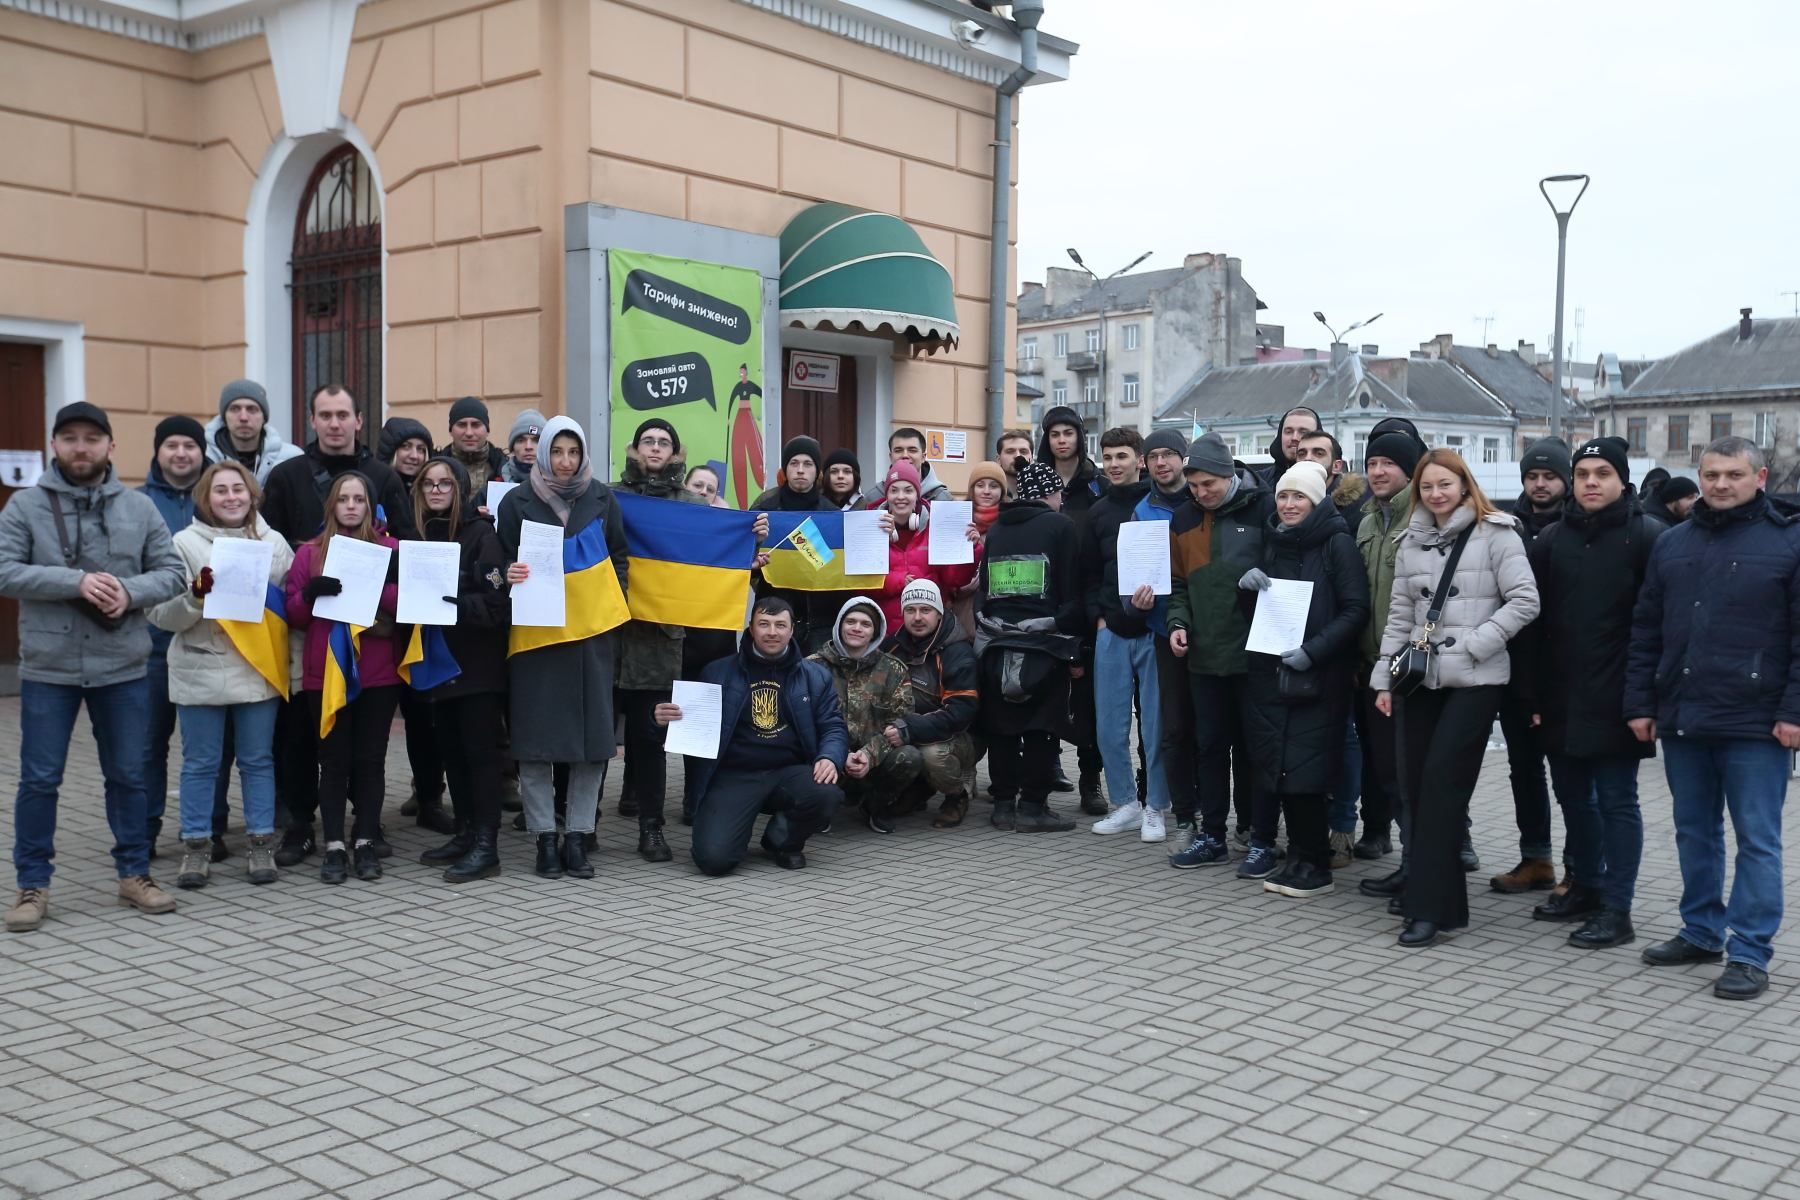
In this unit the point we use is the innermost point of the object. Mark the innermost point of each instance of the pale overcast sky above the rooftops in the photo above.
(1385, 157)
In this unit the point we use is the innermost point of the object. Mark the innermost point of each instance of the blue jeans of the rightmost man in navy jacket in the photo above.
(1749, 778)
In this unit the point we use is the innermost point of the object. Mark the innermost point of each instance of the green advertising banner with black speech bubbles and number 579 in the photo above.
(687, 346)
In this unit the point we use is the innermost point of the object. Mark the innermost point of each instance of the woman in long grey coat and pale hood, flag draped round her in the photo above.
(562, 688)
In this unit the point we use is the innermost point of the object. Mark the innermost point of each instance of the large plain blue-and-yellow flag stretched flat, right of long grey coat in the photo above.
(690, 562)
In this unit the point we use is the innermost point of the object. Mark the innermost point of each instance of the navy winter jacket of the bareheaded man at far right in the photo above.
(1716, 634)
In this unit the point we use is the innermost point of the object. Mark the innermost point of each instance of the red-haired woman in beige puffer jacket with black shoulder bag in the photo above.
(1464, 562)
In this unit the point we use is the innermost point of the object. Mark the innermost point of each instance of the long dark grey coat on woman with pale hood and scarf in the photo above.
(561, 697)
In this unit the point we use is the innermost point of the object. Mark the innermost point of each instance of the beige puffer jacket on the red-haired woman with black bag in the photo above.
(1493, 598)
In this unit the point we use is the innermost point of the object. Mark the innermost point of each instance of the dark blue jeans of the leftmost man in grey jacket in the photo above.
(120, 717)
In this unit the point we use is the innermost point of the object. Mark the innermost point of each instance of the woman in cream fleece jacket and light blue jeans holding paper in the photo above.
(213, 685)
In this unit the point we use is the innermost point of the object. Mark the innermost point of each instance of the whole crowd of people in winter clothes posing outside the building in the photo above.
(1594, 622)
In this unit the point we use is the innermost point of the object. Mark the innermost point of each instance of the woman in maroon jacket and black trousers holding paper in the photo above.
(354, 757)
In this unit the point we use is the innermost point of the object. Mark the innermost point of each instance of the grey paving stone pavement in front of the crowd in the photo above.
(933, 1014)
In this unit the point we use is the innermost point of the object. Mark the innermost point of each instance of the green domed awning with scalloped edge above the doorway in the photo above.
(845, 267)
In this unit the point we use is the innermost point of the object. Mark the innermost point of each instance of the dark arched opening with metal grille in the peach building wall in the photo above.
(337, 289)
